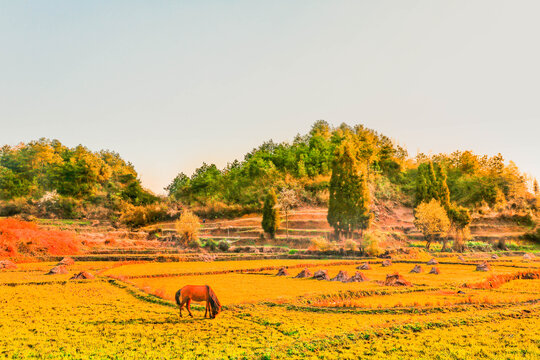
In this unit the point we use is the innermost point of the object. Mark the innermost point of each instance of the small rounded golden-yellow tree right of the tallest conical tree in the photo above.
(432, 220)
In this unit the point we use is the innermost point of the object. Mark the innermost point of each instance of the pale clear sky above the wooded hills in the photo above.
(170, 84)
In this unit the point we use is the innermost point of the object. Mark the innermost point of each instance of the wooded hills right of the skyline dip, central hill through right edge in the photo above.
(305, 165)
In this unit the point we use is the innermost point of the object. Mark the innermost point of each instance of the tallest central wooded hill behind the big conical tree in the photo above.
(305, 163)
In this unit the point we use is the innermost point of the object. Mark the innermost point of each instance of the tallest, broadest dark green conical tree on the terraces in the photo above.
(348, 208)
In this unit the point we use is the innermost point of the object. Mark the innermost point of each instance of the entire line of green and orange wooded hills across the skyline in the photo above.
(46, 178)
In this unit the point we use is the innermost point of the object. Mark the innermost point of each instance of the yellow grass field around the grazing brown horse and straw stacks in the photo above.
(118, 315)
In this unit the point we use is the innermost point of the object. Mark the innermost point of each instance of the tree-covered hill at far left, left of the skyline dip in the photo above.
(77, 175)
